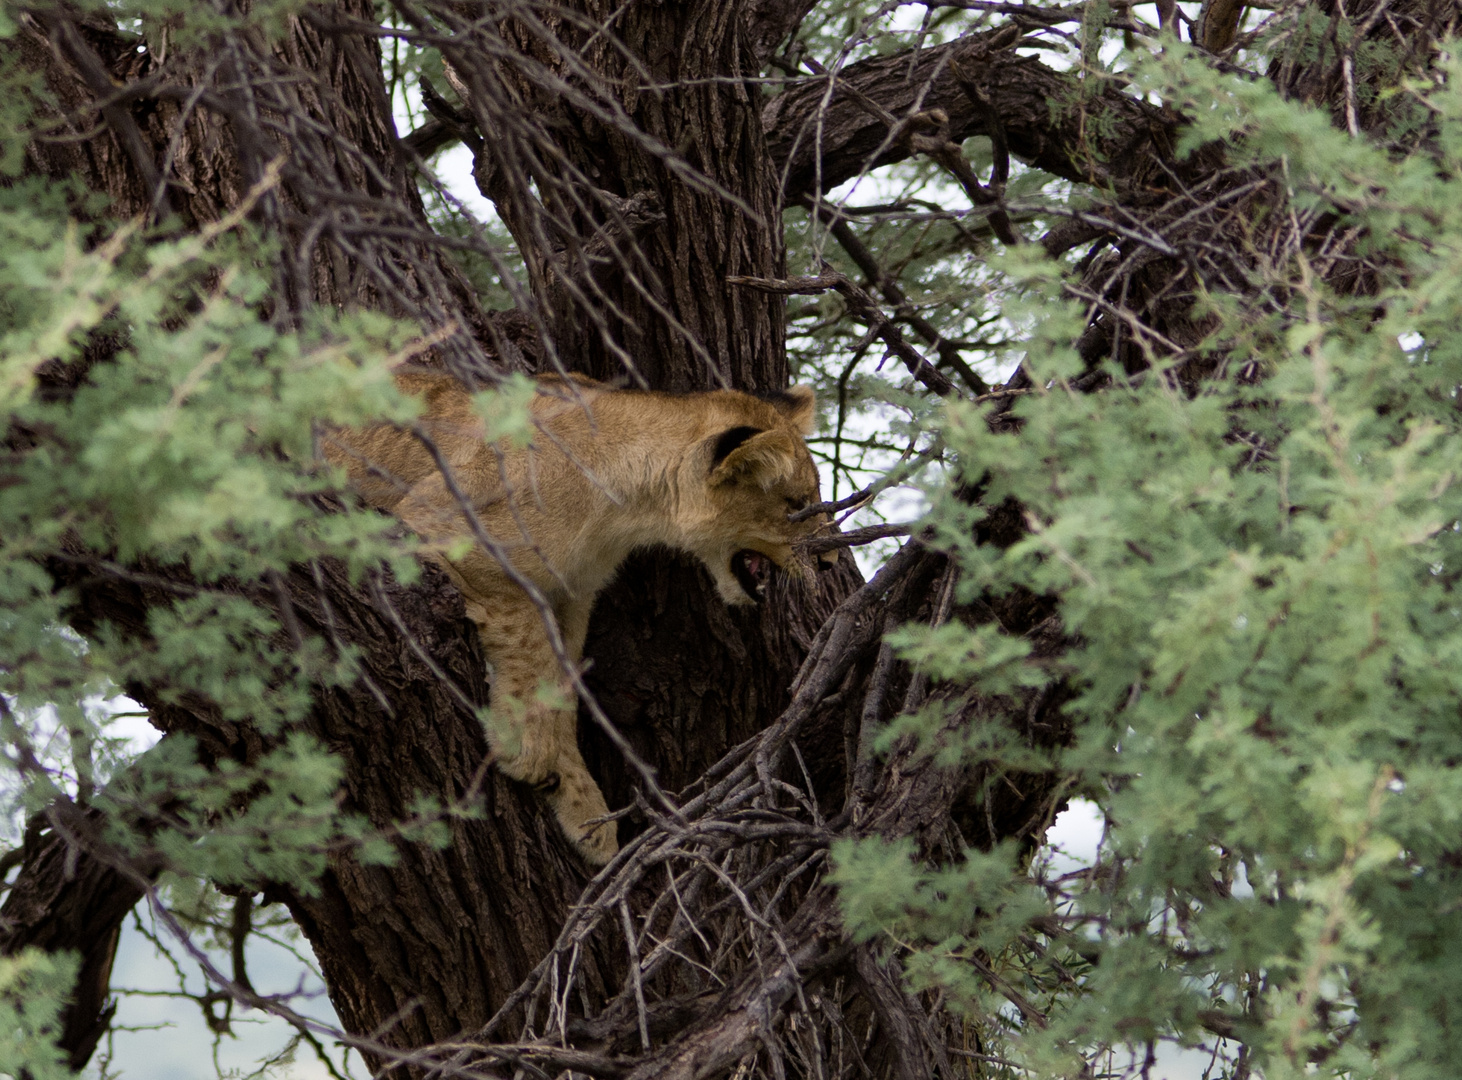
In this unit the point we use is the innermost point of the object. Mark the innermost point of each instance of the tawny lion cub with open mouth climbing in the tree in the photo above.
(607, 471)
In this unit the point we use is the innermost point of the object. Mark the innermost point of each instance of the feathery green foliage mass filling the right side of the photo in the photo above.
(1260, 582)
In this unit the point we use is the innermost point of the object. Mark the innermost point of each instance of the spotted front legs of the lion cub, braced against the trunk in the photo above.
(536, 740)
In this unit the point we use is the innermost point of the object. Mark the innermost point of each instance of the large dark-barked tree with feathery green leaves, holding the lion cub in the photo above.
(1189, 562)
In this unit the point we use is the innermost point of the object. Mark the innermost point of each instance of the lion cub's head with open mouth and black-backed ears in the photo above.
(758, 474)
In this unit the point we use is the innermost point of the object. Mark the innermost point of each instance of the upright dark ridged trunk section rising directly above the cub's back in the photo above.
(662, 194)
